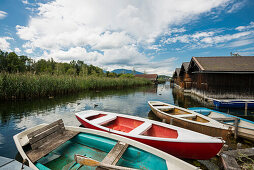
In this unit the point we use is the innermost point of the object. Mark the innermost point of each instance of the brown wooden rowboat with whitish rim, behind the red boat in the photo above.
(188, 119)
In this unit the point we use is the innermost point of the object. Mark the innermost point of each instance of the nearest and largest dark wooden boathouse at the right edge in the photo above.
(222, 77)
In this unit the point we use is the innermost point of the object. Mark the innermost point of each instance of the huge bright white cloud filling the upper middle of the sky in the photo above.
(108, 32)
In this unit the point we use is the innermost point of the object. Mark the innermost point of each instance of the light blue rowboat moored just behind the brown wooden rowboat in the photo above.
(245, 127)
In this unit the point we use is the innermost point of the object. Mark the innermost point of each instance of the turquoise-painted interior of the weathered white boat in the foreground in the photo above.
(93, 146)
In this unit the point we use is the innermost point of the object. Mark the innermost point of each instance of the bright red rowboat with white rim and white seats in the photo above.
(174, 140)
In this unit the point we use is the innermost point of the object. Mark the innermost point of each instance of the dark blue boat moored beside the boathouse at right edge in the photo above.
(234, 103)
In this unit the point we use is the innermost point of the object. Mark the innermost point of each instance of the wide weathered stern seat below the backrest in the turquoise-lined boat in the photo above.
(50, 145)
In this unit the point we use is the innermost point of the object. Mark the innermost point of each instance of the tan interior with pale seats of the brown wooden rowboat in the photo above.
(178, 112)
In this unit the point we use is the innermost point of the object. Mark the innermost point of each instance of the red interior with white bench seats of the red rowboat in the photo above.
(132, 126)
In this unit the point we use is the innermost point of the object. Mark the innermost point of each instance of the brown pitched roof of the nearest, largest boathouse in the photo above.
(222, 64)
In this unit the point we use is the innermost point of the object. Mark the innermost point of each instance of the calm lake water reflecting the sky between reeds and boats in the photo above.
(19, 115)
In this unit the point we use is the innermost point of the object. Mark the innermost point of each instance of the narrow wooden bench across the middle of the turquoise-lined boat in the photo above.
(115, 154)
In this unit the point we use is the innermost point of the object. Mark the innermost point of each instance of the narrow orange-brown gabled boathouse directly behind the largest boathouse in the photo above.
(185, 79)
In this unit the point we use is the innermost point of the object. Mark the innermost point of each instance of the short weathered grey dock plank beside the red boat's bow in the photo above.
(229, 162)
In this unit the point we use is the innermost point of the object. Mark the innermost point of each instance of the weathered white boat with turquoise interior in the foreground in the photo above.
(54, 146)
